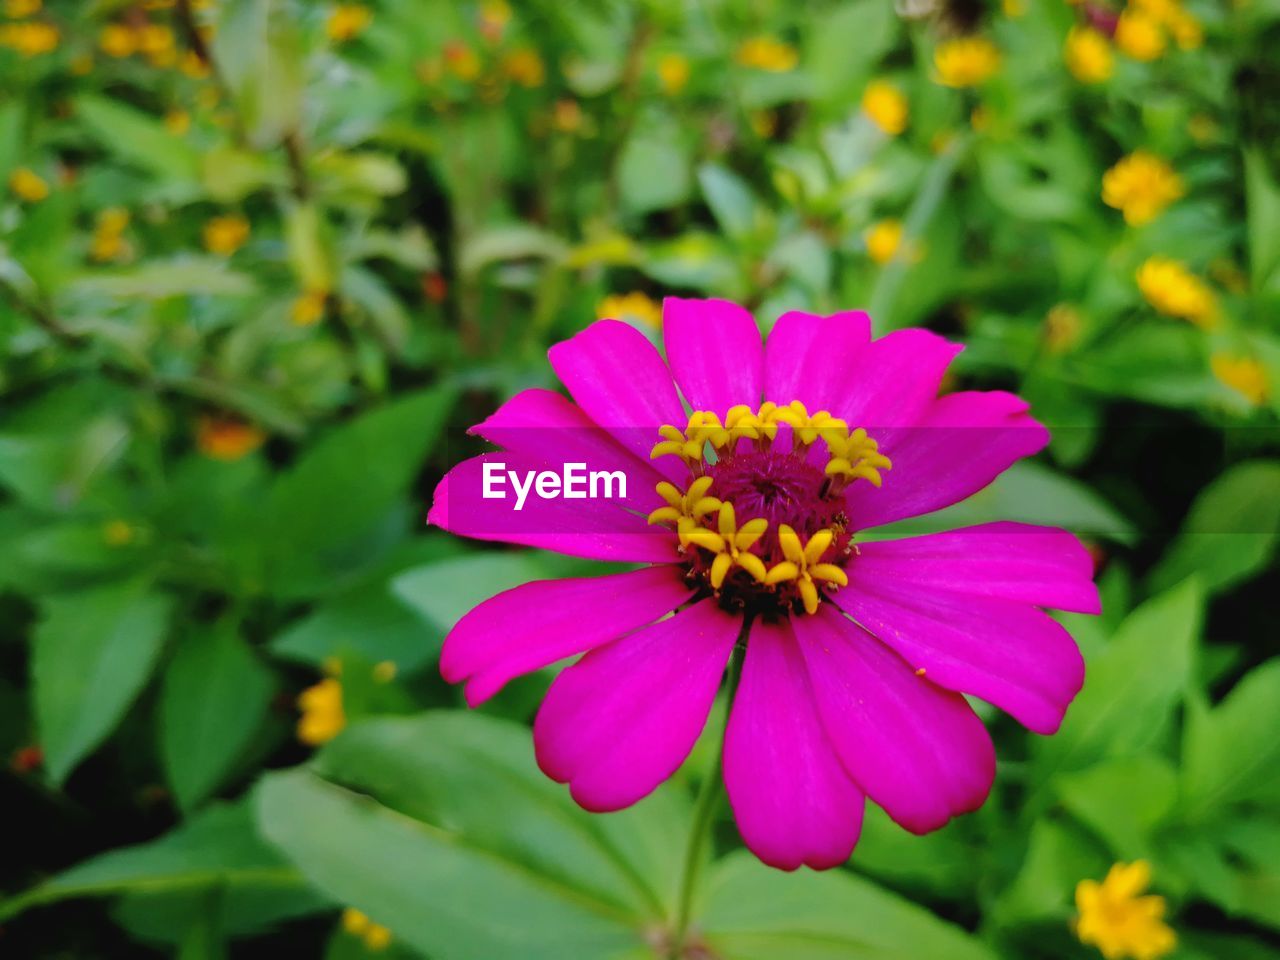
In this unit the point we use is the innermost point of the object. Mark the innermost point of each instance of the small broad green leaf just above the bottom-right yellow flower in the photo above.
(1122, 801)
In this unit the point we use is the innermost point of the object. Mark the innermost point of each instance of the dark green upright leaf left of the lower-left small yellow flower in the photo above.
(213, 702)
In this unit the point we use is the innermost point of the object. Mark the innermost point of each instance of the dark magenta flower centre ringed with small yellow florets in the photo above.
(762, 523)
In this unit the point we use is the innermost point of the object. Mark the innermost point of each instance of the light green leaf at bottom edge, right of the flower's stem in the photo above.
(756, 913)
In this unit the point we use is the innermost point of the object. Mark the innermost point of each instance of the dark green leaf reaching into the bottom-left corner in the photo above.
(218, 849)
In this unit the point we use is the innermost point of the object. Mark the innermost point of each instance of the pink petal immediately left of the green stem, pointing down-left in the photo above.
(623, 720)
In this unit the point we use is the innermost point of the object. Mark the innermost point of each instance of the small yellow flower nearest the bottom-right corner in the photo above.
(1119, 921)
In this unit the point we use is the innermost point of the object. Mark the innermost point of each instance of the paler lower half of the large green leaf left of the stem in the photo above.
(429, 886)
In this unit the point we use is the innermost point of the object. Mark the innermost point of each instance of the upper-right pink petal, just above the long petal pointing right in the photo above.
(895, 380)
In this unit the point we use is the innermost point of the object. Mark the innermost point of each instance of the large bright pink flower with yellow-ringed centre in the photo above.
(857, 653)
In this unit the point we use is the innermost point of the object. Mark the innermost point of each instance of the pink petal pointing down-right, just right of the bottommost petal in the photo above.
(918, 751)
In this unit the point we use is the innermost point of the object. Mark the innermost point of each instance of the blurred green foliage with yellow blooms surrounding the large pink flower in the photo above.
(263, 260)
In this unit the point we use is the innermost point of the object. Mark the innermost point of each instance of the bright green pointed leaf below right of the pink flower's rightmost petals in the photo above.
(1132, 688)
